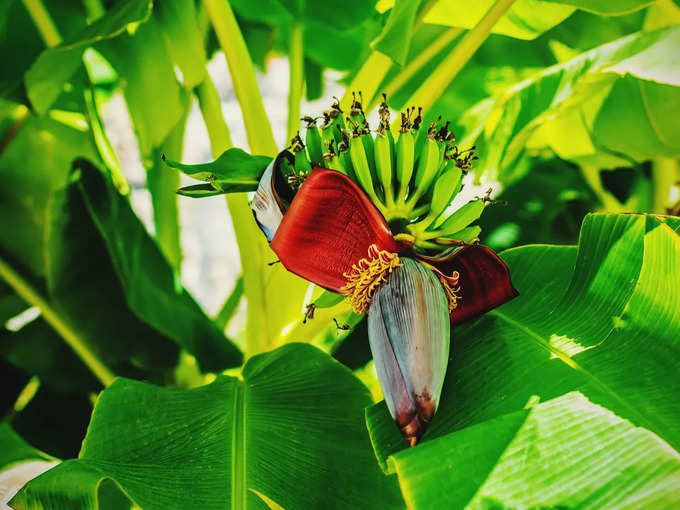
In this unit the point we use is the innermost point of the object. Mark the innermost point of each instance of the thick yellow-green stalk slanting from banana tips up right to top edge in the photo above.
(449, 68)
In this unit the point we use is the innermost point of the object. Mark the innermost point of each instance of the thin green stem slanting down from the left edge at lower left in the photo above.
(28, 294)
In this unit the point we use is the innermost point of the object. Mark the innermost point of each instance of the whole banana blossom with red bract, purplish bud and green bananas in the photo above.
(365, 214)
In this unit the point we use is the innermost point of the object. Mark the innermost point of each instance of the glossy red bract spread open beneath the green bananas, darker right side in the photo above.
(331, 224)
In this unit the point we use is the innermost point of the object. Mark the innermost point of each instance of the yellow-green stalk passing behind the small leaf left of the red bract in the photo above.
(253, 250)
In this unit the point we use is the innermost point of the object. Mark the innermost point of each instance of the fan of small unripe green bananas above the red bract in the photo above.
(411, 185)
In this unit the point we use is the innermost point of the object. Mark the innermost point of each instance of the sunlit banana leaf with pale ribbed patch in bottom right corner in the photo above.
(564, 453)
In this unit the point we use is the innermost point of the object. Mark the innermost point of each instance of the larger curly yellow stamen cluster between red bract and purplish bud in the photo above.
(367, 275)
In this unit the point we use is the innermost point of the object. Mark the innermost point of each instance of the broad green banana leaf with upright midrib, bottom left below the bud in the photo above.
(289, 432)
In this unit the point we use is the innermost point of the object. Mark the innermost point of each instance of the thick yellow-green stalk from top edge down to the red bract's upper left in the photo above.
(259, 131)
